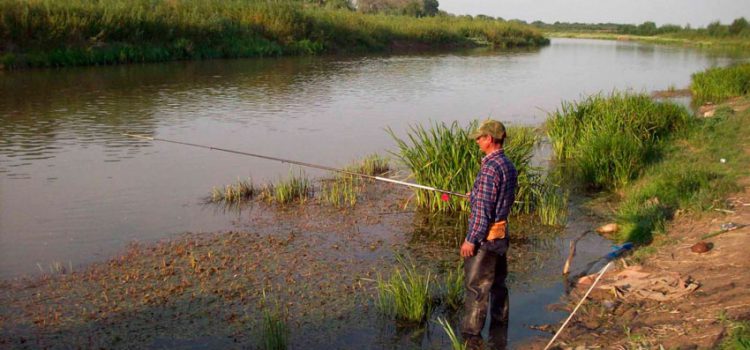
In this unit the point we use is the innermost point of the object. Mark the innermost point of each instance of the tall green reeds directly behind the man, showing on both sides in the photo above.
(444, 156)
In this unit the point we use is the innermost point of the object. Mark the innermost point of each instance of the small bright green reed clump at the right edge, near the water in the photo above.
(718, 84)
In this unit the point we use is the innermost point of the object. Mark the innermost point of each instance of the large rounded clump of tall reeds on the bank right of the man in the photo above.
(610, 139)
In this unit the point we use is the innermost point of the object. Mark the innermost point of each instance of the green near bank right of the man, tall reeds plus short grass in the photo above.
(653, 156)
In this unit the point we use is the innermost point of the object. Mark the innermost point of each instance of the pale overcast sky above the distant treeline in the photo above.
(698, 13)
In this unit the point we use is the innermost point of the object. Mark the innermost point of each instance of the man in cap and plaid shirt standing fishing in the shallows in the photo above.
(486, 244)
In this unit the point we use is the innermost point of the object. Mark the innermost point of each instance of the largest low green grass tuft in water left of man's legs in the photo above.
(406, 295)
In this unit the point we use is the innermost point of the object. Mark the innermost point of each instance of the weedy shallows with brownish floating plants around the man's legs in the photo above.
(316, 262)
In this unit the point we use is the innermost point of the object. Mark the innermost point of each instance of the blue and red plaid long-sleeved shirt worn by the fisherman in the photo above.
(492, 196)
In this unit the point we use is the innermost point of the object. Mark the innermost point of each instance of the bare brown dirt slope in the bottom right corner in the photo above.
(613, 320)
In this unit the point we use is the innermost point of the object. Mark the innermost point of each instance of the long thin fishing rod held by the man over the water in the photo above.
(309, 165)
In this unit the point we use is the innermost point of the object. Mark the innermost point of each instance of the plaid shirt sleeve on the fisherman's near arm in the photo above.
(483, 199)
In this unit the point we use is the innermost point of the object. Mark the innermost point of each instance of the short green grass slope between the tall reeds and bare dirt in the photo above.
(689, 178)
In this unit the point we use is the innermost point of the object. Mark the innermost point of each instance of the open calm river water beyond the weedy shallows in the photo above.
(74, 190)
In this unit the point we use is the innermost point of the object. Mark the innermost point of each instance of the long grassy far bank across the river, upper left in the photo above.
(49, 33)
